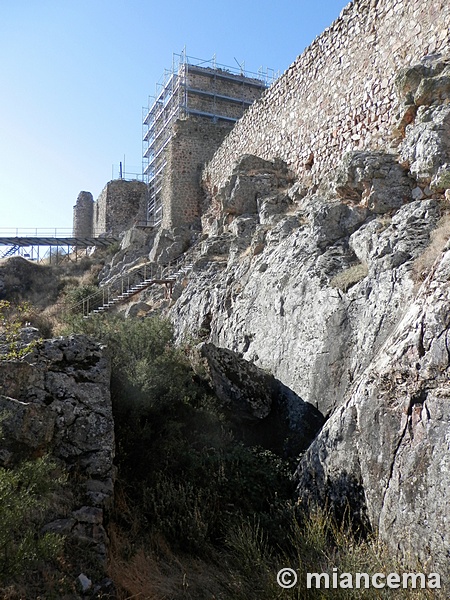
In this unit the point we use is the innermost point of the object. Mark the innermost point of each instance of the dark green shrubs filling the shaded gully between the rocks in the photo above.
(178, 460)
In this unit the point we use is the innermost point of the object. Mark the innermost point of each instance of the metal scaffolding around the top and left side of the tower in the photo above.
(190, 88)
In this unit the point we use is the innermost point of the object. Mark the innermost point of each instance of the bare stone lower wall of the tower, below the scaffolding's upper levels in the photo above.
(194, 142)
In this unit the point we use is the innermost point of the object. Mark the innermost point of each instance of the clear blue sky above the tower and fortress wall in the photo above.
(75, 75)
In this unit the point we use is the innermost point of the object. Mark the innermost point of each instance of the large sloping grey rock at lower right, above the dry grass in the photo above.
(384, 452)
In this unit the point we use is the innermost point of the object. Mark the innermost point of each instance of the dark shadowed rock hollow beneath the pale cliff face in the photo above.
(262, 409)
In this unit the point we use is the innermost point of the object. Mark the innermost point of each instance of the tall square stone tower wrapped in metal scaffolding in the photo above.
(196, 105)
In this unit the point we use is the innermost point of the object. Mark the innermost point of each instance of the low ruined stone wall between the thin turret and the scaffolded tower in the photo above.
(120, 205)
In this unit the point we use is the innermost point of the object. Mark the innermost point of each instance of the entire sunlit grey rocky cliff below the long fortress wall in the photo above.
(338, 289)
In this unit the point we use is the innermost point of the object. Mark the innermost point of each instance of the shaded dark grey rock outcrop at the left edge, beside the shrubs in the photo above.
(56, 400)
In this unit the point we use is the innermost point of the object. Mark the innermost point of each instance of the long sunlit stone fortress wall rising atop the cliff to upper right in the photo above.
(339, 95)
